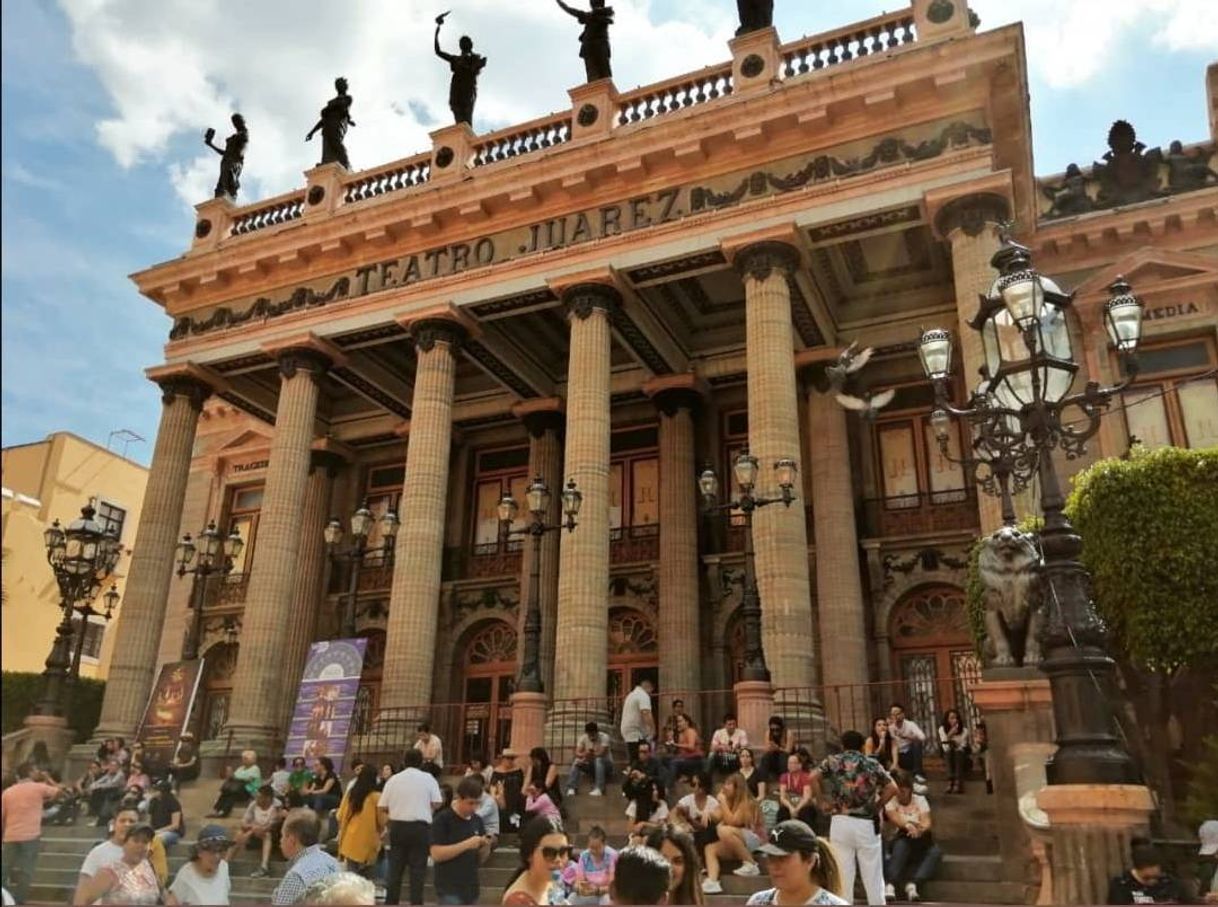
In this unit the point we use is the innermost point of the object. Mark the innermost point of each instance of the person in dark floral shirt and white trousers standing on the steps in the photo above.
(857, 788)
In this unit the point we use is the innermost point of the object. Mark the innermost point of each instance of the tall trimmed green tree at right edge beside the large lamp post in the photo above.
(1150, 541)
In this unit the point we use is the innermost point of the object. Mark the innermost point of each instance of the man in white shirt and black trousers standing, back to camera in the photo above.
(409, 800)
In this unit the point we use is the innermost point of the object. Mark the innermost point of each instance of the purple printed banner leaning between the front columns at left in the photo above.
(326, 702)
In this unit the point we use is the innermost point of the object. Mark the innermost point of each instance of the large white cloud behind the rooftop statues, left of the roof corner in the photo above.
(175, 68)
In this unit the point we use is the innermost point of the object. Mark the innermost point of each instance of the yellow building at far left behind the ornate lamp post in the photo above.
(46, 482)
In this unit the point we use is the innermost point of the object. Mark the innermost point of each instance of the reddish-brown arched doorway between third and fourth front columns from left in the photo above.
(490, 680)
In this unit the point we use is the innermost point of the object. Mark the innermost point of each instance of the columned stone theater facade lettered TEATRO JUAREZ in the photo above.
(622, 294)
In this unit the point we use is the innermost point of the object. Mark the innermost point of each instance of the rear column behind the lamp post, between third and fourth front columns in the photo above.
(546, 461)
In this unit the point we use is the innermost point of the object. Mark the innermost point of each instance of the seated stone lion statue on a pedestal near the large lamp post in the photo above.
(1009, 567)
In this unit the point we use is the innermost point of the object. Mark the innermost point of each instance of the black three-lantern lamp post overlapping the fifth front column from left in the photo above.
(746, 469)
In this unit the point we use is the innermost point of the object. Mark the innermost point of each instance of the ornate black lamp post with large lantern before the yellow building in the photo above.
(81, 557)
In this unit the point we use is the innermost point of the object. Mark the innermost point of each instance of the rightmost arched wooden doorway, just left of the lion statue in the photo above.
(934, 654)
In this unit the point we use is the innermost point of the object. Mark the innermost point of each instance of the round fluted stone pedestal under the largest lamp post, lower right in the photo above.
(1091, 831)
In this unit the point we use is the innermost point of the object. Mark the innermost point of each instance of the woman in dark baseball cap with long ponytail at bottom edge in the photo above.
(802, 867)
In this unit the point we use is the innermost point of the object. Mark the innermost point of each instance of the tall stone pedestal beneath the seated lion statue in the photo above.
(1018, 708)
